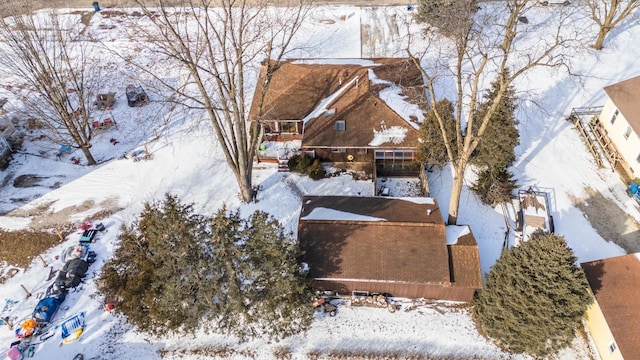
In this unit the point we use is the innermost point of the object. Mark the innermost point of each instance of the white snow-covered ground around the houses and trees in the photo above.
(187, 164)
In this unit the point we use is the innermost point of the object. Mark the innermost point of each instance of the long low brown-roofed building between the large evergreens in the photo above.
(398, 246)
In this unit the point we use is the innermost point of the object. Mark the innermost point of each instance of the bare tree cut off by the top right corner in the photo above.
(608, 14)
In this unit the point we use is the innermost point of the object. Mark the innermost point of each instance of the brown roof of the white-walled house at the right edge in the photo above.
(626, 96)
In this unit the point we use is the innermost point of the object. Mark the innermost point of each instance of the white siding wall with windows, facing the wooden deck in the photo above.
(629, 148)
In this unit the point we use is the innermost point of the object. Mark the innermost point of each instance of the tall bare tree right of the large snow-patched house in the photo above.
(482, 52)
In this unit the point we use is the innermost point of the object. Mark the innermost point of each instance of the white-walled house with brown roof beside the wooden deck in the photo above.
(620, 119)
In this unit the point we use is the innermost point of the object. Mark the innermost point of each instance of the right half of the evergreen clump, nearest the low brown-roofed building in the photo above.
(266, 294)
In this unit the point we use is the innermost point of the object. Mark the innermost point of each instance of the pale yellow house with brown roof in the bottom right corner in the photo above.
(613, 320)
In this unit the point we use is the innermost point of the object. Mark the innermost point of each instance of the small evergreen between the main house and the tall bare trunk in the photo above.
(432, 150)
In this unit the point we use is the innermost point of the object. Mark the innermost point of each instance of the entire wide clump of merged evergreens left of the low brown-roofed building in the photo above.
(177, 271)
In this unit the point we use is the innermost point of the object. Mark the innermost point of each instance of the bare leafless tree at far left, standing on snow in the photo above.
(54, 72)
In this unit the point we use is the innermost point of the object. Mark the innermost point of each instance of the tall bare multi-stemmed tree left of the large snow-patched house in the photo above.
(219, 45)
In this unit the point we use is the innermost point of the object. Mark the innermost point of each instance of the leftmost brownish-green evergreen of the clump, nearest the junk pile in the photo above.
(157, 274)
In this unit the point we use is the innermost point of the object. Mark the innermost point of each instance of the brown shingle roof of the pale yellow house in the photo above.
(615, 282)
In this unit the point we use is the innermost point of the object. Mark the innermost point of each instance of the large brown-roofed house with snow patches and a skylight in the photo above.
(344, 110)
